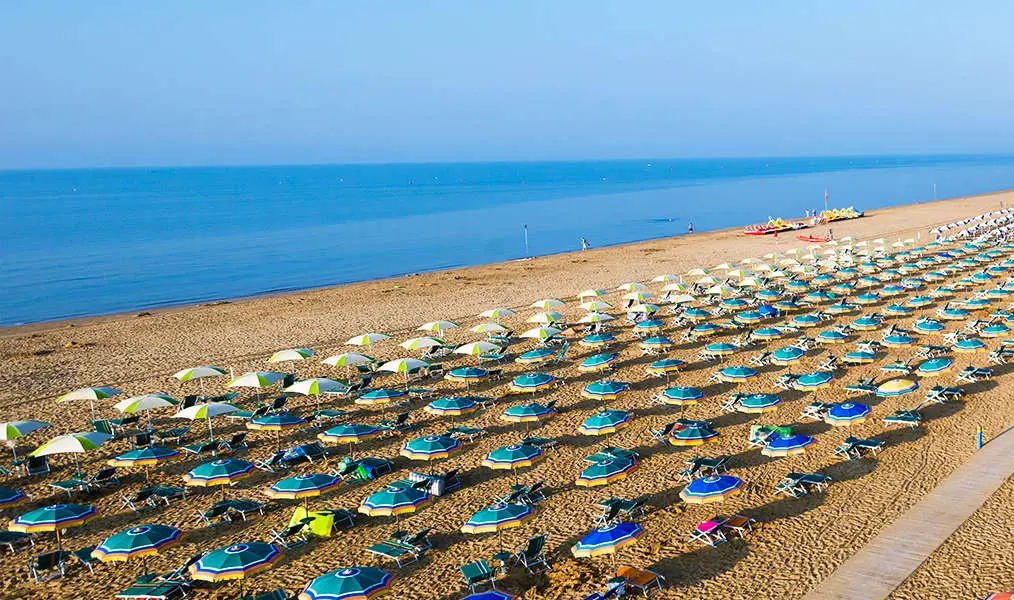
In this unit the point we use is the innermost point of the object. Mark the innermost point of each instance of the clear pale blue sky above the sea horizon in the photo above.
(215, 83)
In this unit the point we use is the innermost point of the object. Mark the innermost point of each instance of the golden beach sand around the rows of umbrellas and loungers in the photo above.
(798, 543)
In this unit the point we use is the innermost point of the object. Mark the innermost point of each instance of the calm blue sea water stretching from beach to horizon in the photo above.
(86, 243)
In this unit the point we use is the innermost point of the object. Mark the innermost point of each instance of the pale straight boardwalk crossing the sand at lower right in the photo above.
(892, 557)
